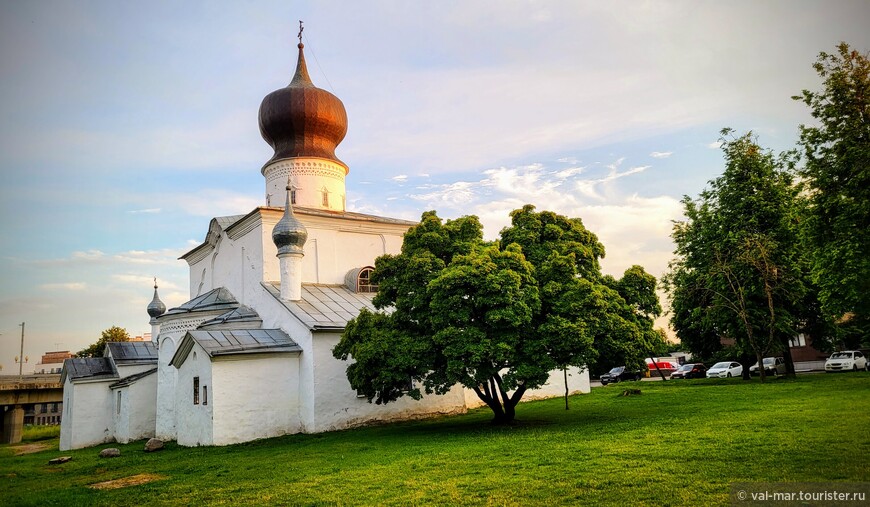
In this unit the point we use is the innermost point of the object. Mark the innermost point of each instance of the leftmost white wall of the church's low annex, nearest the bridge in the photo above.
(89, 420)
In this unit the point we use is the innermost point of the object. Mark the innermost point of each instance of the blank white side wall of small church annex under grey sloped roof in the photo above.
(255, 396)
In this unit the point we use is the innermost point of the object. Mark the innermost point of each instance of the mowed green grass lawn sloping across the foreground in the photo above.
(677, 443)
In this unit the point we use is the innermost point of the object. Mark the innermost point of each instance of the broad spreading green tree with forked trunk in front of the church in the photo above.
(495, 317)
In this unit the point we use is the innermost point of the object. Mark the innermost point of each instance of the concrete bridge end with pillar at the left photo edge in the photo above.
(16, 393)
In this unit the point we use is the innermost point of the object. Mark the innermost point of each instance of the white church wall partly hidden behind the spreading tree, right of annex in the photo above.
(337, 405)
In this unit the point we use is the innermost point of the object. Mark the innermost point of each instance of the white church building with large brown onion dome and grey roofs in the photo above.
(250, 355)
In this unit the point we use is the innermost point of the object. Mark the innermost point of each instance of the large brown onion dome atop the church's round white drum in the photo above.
(302, 120)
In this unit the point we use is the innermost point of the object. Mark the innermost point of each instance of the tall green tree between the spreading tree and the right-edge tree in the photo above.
(737, 272)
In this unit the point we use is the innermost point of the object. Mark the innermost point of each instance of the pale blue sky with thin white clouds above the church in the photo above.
(126, 126)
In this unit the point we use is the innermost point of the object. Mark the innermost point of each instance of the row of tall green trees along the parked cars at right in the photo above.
(778, 244)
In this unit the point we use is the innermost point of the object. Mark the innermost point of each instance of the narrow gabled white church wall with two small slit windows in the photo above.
(196, 428)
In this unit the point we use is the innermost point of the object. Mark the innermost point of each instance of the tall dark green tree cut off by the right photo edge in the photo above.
(836, 173)
